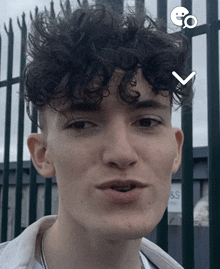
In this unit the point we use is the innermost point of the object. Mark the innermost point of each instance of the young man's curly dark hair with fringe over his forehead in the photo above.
(75, 53)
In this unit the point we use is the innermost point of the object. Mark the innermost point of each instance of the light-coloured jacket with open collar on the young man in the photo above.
(20, 252)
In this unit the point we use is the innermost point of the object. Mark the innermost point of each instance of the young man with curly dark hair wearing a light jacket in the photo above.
(103, 86)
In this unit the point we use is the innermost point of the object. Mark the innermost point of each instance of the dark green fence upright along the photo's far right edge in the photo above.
(213, 132)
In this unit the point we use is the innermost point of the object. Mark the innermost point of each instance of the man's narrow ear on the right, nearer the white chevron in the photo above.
(179, 142)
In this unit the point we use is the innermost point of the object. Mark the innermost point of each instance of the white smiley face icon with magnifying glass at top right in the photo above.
(177, 15)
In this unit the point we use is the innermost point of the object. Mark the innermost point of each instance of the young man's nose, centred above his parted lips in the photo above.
(119, 150)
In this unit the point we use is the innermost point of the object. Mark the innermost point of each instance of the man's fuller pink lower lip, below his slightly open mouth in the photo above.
(123, 197)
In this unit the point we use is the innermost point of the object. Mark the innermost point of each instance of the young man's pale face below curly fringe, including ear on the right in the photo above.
(94, 153)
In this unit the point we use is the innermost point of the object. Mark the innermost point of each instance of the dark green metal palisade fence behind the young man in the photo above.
(210, 29)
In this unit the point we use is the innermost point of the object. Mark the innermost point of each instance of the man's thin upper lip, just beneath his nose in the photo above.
(120, 183)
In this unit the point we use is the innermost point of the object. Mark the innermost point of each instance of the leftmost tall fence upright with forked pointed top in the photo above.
(10, 35)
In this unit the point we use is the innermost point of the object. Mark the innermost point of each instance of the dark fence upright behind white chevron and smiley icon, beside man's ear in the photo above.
(187, 171)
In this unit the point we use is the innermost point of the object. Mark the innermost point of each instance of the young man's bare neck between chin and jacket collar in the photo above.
(73, 249)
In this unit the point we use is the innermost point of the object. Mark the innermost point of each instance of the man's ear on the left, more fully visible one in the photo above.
(39, 156)
